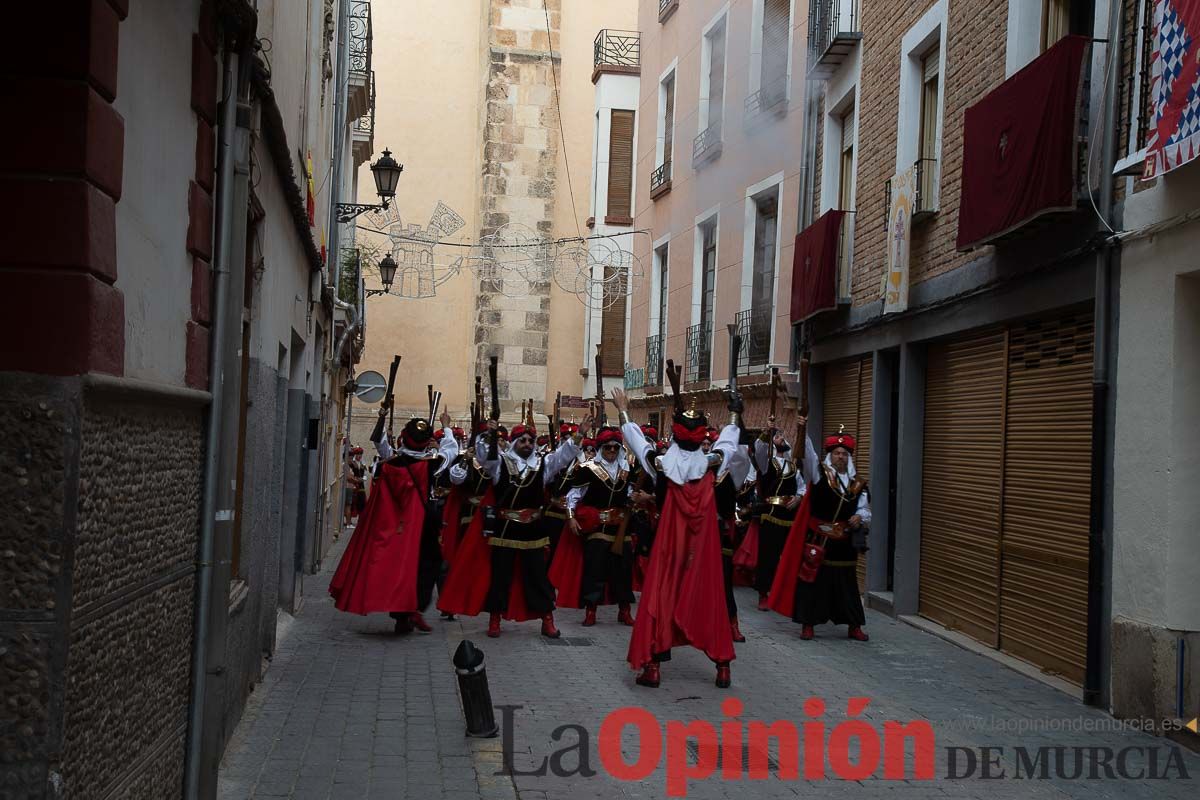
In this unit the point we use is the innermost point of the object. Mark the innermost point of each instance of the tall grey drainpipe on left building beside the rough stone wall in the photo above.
(226, 309)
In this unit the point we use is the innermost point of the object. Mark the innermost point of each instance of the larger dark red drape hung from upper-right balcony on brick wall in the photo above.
(1019, 147)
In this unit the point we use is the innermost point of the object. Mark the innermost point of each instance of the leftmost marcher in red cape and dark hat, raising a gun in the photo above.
(393, 560)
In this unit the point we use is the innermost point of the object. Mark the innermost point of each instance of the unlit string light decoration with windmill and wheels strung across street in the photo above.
(514, 261)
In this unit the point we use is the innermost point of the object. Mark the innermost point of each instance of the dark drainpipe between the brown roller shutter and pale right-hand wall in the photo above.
(1100, 542)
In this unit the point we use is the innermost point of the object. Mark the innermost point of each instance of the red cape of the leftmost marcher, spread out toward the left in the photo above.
(379, 569)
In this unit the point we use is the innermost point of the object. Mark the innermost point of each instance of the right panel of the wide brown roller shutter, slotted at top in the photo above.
(1043, 590)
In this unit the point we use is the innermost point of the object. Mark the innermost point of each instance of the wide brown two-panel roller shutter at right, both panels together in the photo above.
(1005, 500)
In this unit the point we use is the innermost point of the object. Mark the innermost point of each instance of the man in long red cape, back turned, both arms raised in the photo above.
(683, 594)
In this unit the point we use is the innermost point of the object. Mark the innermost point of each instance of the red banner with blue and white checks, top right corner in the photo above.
(1175, 87)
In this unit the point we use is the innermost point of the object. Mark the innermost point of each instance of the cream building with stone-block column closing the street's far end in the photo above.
(494, 119)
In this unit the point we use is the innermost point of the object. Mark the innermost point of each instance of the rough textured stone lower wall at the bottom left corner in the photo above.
(97, 573)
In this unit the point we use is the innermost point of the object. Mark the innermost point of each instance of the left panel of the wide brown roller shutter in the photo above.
(962, 485)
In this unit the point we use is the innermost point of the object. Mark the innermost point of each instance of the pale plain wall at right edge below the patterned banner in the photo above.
(1157, 441)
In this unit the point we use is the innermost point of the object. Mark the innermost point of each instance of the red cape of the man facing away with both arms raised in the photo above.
(683, 598)
